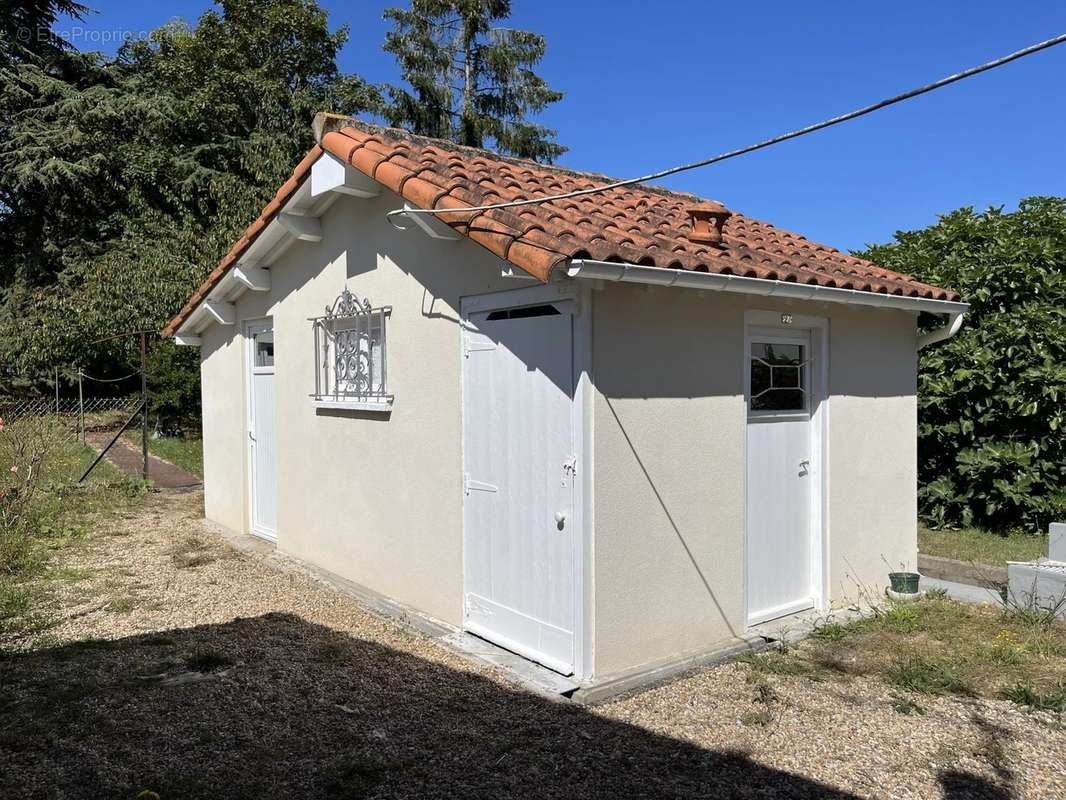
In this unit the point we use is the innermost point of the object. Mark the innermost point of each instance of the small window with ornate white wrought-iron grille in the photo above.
(351, 355)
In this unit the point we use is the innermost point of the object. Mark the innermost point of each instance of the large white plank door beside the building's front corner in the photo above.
(521, 465)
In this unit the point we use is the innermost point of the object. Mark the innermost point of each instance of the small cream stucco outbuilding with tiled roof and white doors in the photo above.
(609, 434)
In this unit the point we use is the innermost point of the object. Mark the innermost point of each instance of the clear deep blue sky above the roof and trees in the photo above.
(653, 85)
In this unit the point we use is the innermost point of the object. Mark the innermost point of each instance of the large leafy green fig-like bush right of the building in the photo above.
(993, 401)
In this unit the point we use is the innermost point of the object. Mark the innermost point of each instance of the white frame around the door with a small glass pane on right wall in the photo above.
(819, 329)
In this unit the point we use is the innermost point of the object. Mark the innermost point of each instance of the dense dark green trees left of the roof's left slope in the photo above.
(125, 182)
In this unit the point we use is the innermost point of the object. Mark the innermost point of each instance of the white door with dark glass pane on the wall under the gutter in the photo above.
(781, 487)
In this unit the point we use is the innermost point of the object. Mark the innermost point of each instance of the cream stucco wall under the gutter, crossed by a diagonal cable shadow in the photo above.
(670, 440)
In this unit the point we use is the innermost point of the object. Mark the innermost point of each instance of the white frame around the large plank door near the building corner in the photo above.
(583, 436)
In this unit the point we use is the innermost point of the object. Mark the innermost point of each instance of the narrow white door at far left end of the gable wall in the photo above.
(263, 440)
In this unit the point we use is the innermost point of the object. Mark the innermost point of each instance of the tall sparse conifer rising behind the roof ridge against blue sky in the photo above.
(472, 82)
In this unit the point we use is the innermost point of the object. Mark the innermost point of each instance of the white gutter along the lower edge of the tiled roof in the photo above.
(580, 268)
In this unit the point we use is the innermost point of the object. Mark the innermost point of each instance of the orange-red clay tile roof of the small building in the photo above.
(643, 225)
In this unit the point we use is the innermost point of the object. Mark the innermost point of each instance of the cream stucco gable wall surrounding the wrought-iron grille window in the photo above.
(377, 500)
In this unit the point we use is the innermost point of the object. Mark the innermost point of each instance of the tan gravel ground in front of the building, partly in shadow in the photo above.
(186, 669)
